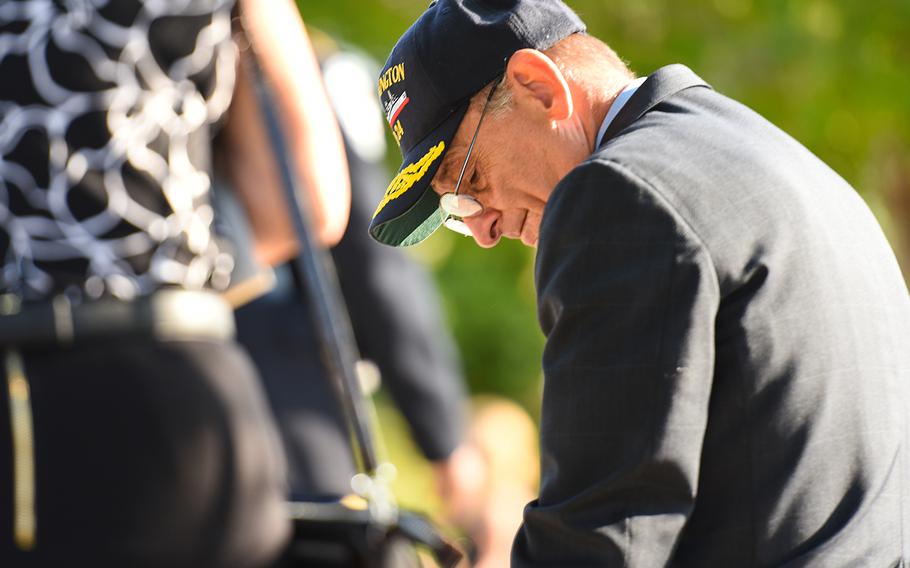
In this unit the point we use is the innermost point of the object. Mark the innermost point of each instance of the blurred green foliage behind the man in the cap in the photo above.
(835, 75)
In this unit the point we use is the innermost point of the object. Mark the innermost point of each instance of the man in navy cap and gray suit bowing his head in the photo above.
(726, 366)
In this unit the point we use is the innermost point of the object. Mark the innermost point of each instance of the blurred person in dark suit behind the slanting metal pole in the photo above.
(390, 298)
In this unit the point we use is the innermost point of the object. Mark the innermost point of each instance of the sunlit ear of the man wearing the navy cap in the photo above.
(534, 77)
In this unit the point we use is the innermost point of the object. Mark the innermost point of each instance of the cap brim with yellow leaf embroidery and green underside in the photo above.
(409, 211)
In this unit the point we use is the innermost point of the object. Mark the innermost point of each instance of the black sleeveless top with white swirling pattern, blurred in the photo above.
(105, 115)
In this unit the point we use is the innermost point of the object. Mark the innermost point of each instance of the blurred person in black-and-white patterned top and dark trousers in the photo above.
(133, 431)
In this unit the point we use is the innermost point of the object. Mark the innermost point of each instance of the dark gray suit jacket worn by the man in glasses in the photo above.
(727, 356)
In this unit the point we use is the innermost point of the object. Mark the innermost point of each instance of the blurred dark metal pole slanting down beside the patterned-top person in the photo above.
(334, 534)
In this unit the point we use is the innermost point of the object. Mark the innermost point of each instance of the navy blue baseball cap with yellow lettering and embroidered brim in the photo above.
(449, 54)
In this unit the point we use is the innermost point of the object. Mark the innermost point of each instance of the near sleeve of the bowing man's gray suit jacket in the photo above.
(627, 297)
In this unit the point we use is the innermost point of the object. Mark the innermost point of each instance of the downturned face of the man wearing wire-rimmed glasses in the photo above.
(509, 172)
